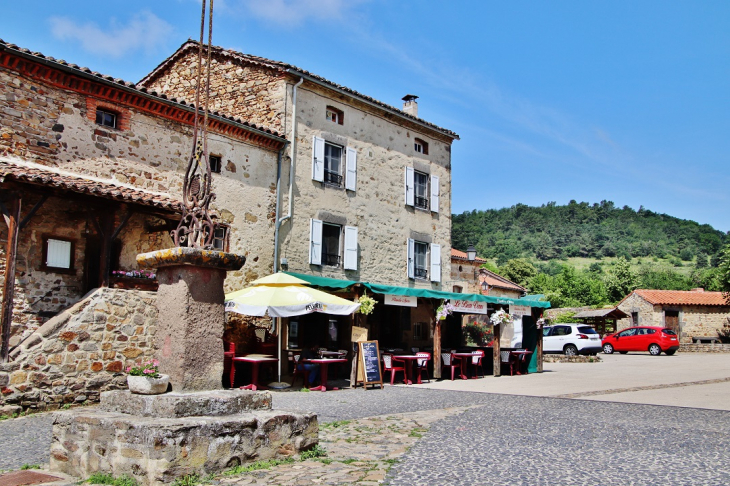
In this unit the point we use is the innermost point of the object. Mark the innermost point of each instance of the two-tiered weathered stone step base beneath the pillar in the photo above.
(164, 442)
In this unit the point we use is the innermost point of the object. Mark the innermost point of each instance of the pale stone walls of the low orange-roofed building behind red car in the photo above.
(694, 320)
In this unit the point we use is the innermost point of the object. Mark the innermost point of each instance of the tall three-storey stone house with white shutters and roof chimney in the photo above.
(369, 195)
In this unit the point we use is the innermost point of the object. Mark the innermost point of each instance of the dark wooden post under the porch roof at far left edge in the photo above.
(6, 318)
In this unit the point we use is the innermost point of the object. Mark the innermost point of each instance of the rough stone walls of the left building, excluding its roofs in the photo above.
(47, 117)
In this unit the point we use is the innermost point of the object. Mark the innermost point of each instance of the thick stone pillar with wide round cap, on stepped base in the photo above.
(191, 320)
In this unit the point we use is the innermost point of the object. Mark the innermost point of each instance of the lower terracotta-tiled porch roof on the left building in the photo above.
(31, 173)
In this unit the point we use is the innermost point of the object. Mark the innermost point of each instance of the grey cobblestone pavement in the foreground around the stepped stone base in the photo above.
(474, 438)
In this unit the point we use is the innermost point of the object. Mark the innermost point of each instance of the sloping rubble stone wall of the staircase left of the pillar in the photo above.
(81, 352)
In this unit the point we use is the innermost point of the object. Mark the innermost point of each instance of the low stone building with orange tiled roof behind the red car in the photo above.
(691, 314)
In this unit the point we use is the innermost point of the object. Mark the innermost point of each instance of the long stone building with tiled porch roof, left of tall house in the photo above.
(91, 171)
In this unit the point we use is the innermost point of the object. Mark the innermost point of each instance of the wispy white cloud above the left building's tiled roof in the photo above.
(144, 31)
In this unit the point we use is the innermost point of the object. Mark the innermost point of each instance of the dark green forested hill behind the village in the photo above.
(583, 230)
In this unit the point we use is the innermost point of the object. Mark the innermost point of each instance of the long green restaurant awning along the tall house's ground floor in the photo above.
(417, 292)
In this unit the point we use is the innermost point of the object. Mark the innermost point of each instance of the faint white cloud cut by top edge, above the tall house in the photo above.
(296, 12)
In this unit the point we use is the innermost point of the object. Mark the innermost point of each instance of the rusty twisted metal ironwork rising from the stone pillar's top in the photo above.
(196, 228)
